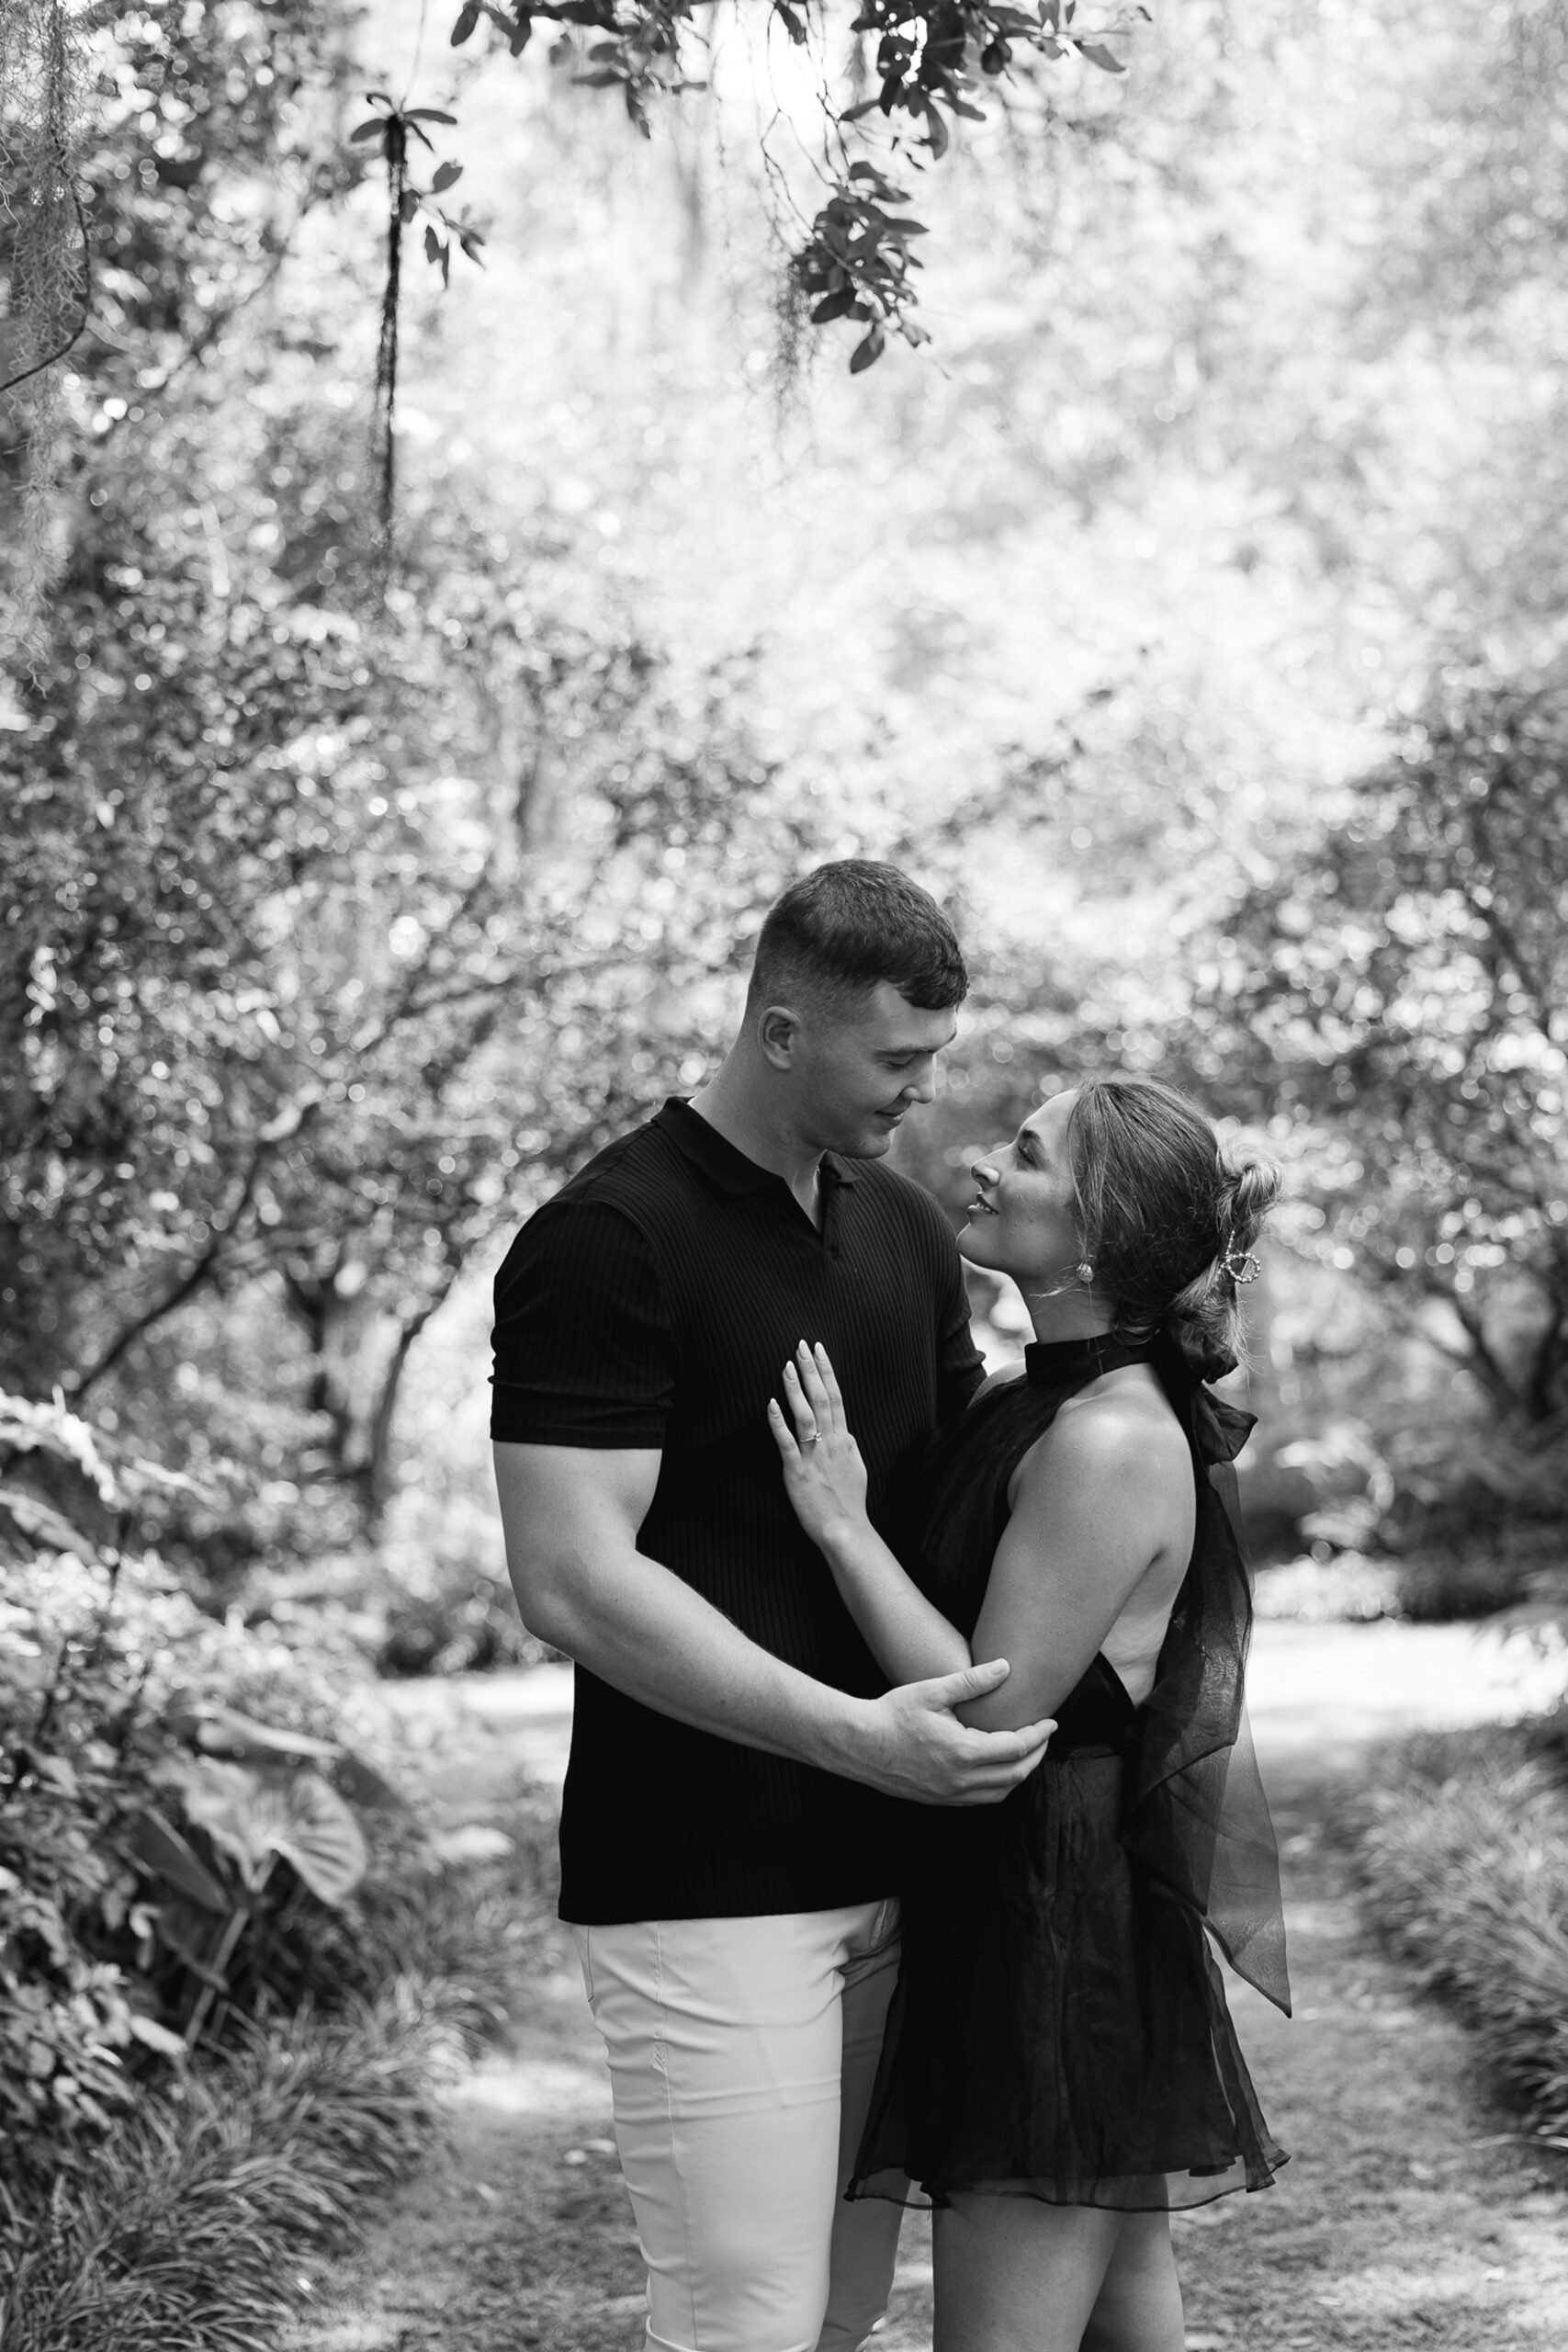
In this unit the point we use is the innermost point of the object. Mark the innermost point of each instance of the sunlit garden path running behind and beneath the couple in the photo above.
(1407, 2217)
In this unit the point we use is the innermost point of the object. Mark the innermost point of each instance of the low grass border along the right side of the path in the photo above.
(1461, 1855)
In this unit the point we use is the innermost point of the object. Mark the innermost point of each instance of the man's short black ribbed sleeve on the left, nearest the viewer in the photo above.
(584, 1349)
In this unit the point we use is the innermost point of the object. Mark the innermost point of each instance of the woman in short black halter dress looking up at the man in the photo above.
(1061, 2071)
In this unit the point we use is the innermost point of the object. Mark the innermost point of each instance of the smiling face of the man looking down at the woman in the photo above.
(862, 1069)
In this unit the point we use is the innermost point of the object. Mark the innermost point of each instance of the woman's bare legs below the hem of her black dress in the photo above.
(1019, 2276)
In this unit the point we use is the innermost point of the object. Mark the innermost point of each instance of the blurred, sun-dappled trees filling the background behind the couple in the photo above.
(1191, 615)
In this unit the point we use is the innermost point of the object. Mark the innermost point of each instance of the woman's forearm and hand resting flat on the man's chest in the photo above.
(826, 1483)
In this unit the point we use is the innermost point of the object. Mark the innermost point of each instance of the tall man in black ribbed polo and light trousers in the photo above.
(732, 1815)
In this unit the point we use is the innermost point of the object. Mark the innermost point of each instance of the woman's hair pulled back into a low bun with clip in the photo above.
(1167, 1215)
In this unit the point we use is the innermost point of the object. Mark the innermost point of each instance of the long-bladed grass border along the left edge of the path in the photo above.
(187, 2229)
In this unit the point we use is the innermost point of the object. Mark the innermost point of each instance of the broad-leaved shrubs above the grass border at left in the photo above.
(161, 1850)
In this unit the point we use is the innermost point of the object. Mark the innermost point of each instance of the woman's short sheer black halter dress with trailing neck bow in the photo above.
(1059, 2026)
